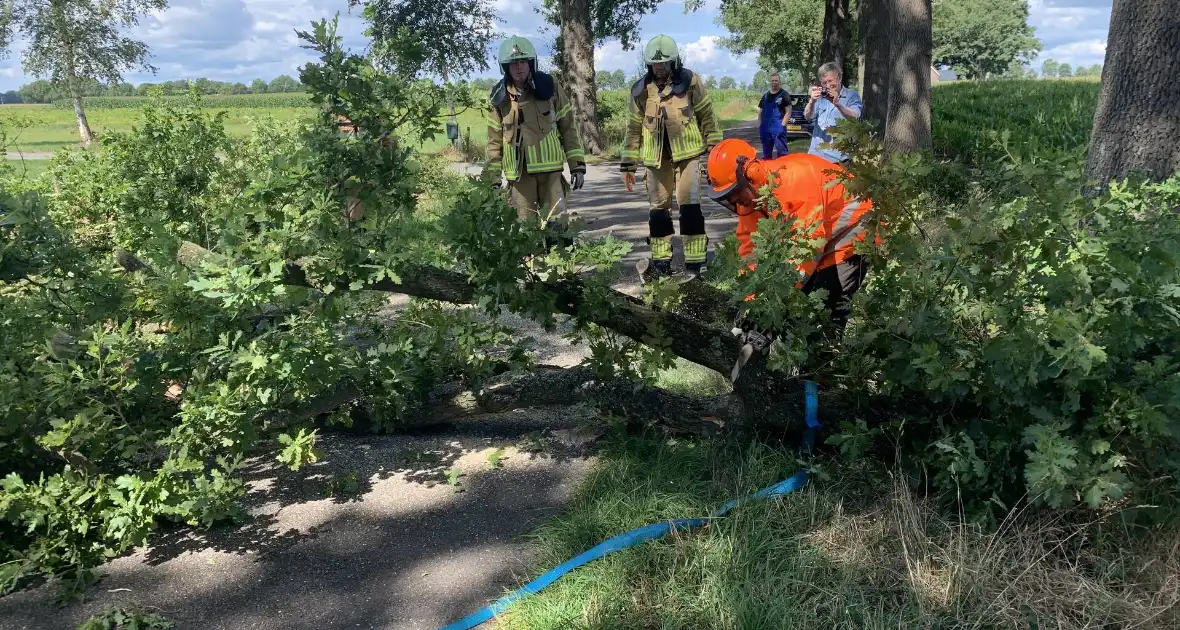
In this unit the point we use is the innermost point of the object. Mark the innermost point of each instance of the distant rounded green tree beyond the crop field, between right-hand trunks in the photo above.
(984, 38)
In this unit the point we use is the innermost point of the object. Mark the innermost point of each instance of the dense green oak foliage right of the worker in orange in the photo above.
(1028, 344)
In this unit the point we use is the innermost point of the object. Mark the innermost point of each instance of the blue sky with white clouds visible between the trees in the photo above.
(240, 41)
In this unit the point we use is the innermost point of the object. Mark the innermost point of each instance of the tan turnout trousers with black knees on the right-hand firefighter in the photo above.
(683, 181)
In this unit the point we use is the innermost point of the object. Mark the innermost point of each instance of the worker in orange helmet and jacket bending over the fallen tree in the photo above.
(809, 192)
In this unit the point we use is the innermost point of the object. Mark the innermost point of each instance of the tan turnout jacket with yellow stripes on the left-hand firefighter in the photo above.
(535, 124)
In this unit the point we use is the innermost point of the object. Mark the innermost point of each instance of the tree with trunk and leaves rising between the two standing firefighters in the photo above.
(585, 24)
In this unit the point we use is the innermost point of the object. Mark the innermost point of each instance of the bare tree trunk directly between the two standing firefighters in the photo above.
(579, 55)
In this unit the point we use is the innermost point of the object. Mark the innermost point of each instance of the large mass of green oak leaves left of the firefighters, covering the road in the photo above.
(133, 393)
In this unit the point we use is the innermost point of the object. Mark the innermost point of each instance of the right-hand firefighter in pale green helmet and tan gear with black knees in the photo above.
(671, 132)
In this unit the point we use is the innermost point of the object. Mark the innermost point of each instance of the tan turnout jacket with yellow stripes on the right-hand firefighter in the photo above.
(681, 113)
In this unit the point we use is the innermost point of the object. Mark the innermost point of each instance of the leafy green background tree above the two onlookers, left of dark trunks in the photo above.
(785, 34)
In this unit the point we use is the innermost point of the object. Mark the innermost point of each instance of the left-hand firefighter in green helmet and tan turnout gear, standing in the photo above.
(532, 136)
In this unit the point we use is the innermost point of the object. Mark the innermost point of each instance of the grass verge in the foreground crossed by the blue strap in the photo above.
(854, 550)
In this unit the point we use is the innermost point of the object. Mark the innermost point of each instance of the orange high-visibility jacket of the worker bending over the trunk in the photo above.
(807, 193)
